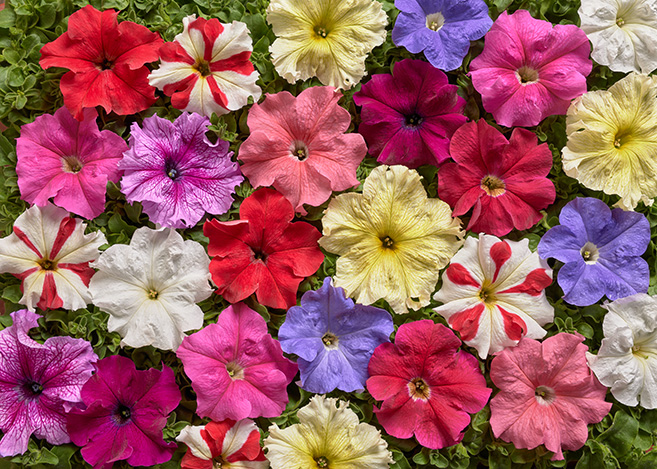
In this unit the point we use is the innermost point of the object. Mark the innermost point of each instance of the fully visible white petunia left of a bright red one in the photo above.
(151, 286)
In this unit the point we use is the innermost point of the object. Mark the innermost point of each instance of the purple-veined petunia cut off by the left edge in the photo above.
(39, 383)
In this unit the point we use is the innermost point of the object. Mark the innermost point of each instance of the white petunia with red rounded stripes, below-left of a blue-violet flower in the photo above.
(493, 293)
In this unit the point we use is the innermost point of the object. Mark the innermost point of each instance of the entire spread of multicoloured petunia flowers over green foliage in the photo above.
(391, 239)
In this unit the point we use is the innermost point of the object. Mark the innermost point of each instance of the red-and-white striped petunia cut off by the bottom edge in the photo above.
(224, 444)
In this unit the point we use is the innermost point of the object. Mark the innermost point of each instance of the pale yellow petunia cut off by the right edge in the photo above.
(612, 140)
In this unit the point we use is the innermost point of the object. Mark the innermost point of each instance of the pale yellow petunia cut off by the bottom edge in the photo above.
(328, 435)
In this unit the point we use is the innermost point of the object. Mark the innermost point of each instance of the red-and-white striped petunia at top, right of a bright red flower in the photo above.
(206, 68)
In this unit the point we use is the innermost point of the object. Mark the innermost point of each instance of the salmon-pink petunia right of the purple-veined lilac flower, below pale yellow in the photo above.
(299, 146)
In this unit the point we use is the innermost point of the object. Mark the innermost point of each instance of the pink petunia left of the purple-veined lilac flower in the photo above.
(60, 157)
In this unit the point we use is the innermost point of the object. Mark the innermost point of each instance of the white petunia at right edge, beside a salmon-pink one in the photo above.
(627, 359)
